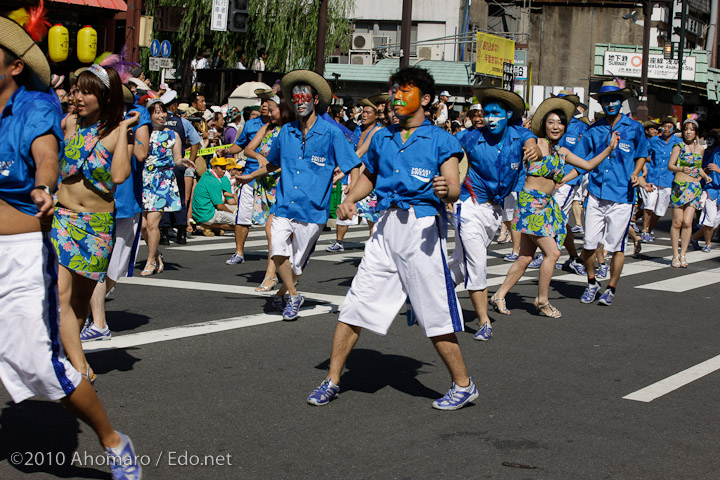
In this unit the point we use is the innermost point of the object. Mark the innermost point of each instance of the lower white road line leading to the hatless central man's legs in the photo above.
(195, 329)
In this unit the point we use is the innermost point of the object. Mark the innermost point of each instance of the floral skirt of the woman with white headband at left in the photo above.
(83, 241)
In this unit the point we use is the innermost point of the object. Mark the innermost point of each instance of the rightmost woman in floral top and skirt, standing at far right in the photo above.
(686, 163)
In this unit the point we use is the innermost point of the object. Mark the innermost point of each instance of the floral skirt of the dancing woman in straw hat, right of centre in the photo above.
(537, 213)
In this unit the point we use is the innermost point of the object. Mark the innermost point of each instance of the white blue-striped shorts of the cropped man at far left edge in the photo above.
(32, 361)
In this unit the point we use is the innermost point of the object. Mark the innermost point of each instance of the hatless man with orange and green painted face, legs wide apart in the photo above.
(414, 169)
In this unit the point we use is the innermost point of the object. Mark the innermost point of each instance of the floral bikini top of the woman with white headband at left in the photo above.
(84, 154)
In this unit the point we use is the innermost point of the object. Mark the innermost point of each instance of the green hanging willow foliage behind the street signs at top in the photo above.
(286, 28)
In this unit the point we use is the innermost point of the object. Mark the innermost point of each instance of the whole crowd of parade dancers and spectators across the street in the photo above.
(94, 167)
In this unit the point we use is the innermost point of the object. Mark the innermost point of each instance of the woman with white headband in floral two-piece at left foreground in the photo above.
(95, 157)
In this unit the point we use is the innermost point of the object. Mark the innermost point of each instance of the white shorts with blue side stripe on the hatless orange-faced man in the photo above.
(405, 258)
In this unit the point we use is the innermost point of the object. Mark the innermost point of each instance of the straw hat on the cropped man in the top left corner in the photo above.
(18, 41)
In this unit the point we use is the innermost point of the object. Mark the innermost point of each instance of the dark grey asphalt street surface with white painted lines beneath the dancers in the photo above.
(209, 383)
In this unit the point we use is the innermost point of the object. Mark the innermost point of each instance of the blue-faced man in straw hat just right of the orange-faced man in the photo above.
(495, 154)
